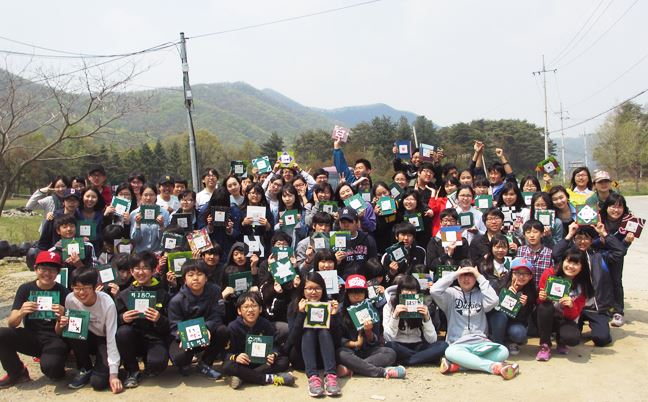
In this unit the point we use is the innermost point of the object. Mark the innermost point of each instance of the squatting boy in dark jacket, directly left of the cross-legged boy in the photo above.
(198, 298)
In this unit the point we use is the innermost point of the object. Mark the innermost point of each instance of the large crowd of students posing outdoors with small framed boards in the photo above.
(432, 300)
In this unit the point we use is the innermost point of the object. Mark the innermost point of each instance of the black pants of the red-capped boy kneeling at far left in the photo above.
(50, 348)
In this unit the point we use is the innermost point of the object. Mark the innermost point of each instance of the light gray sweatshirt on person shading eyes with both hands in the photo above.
(466, 311)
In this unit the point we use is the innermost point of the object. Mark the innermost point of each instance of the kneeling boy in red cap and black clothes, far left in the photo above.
(37, 336)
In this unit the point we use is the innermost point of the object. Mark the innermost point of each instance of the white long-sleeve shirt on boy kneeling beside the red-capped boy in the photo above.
(103, 322)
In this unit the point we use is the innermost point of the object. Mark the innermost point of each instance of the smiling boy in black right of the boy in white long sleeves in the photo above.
(143, 336)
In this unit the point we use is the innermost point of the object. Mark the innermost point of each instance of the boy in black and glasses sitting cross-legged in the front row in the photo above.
(238, 364)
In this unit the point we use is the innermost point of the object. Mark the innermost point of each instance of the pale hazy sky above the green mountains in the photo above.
(451, 61)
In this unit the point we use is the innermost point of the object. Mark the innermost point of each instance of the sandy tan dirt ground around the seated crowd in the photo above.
(588, 373)
